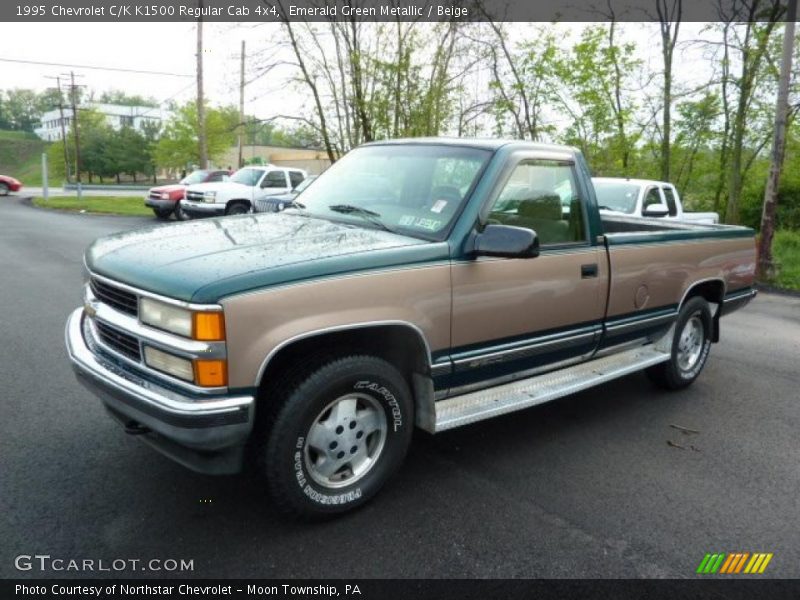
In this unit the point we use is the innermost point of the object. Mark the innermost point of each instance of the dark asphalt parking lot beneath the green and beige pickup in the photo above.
(599, 484)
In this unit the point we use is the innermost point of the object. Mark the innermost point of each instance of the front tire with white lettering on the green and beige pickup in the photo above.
(336, 434)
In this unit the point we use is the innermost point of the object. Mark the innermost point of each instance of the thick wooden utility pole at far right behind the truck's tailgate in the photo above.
(765, 265)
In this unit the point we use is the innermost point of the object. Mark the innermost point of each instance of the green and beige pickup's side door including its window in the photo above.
(513, 318)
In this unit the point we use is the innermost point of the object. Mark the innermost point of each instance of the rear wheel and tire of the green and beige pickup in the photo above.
(690, 347)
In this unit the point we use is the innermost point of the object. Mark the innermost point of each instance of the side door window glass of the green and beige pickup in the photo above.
(542, 195)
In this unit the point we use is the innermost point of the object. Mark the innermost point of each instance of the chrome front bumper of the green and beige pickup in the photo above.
(203, 433)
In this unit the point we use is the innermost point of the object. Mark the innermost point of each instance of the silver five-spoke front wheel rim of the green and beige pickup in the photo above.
(345, 440)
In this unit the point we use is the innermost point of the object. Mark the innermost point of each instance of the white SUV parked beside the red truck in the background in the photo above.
(239, 193)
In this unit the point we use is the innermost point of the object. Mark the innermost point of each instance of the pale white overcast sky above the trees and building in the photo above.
(170, 47)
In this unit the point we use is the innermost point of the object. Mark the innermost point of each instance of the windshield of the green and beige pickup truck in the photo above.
(412, 189)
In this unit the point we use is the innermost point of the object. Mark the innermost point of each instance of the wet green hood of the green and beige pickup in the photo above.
(207, 260)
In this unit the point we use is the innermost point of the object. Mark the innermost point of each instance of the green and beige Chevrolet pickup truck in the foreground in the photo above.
(428, 282)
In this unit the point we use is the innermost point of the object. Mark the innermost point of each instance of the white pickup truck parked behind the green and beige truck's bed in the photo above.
(645, 198)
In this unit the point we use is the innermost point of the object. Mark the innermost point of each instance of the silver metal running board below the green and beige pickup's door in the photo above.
(509, 397)
